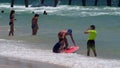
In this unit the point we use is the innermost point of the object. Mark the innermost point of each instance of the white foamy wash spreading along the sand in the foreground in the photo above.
(17, 50)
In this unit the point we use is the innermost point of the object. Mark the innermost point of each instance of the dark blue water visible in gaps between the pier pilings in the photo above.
(64, 2)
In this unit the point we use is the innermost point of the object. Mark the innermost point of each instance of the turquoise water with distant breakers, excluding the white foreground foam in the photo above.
(77, 18)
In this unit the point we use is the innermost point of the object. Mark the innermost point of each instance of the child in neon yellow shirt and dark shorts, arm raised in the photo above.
(91, 39)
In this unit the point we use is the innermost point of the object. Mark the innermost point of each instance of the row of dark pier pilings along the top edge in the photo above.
(108, 2)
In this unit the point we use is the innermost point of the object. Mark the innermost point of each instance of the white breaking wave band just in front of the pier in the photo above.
(65, 10)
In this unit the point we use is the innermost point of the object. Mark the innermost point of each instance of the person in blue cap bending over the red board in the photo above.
(63, 42)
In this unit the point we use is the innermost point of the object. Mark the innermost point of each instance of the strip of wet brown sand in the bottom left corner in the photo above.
(6, 62)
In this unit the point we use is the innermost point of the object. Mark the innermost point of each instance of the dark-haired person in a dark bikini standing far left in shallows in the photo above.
(11, 23)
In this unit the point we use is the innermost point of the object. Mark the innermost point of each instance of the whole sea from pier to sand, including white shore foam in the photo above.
(39, 48)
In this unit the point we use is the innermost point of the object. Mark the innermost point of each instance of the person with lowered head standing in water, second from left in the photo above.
(35, 24)
